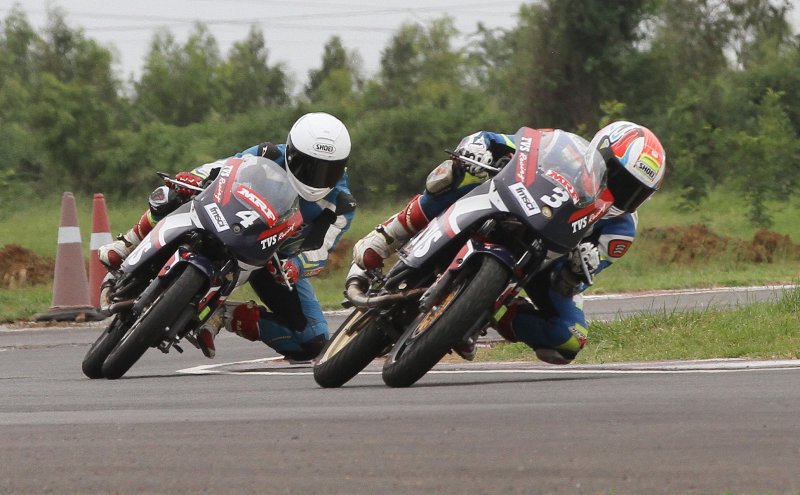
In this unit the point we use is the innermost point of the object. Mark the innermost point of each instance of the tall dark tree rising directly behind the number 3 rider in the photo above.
(568, 58)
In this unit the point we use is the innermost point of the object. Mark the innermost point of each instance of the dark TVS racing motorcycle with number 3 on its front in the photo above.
(455, 278)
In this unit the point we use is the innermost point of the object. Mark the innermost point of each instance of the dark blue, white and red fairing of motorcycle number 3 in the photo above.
(552, 185)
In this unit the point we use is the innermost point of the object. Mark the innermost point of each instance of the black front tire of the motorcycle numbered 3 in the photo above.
(435, 333)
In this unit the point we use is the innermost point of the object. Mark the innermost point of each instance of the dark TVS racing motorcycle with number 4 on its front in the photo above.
(192, 260)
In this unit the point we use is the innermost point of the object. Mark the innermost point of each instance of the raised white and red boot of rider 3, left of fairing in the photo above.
(370, 252)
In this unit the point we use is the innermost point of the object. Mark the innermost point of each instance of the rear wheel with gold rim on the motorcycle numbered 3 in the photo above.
(354, 345)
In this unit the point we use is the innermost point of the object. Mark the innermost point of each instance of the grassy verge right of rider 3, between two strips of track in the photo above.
(767, 330)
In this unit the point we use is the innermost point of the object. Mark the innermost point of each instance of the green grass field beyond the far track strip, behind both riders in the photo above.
(36, 228)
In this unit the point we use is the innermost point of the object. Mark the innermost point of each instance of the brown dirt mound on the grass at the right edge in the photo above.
(697, 243)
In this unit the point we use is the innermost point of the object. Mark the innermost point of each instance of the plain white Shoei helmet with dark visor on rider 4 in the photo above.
(317, 150)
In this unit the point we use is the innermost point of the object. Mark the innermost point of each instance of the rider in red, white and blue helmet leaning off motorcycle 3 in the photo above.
(551, 321)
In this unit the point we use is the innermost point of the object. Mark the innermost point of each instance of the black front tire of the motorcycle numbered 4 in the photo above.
(145, 332)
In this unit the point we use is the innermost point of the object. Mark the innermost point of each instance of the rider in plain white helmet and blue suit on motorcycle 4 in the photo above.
(315, 155)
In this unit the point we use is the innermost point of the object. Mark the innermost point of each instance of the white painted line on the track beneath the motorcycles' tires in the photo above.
(672, 367)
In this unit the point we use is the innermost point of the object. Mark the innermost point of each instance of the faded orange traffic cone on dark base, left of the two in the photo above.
(70, 285)
